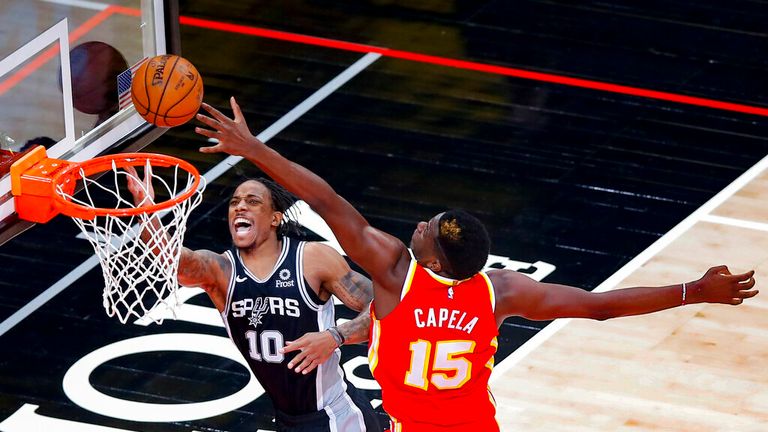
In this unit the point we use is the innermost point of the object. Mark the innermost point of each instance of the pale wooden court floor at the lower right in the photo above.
(695, 368)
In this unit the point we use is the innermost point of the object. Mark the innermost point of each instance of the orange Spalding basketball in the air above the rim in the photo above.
(167, 90)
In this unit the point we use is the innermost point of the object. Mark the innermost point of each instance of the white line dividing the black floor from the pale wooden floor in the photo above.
(700, 214)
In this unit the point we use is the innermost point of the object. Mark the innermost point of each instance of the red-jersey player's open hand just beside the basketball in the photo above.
(232, 134)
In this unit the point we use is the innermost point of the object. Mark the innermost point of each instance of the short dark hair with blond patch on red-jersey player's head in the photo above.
(464, 242)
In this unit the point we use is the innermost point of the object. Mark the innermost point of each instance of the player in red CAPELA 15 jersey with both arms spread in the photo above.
(436, 314)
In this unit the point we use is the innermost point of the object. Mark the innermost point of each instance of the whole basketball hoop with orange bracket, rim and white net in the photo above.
(139, 246)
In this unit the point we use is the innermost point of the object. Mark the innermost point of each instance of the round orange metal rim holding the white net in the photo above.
(103, 164)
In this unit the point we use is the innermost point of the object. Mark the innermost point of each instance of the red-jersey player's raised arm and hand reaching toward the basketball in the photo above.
(375, 251)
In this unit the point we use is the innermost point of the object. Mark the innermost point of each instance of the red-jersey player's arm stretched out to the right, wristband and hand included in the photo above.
(520, 295)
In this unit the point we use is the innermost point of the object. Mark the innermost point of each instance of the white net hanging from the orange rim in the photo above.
(139, 270)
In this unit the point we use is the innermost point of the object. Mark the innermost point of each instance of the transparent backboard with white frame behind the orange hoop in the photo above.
(58, 80)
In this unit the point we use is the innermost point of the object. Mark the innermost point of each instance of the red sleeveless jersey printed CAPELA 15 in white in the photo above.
(433, 354)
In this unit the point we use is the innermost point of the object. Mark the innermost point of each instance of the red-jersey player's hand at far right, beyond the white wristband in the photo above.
(718, 285)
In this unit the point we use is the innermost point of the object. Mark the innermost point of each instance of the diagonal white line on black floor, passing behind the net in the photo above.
(211, 175)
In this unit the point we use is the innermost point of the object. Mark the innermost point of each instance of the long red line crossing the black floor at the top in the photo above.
(476, 66)
